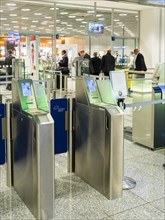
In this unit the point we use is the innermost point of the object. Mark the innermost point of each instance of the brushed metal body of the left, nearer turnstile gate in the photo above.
(33, 158)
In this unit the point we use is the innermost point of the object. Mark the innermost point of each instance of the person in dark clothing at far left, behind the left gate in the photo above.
(8, 63)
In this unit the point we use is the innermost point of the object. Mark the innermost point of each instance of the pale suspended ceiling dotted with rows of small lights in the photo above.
(71, 17)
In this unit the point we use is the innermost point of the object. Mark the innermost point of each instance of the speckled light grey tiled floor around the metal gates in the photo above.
(74, 199)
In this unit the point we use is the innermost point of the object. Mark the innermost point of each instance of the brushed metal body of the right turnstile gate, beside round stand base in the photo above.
(99, 144)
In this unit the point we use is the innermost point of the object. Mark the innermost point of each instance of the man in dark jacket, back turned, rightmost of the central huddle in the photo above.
(107, 63)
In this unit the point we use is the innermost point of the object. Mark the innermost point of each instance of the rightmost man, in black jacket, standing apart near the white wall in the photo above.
(139, 63)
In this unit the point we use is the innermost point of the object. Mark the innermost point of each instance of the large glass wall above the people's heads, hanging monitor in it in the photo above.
(60, 26)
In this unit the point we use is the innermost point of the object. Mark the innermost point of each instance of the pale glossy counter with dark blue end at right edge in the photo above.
(148, 126)
